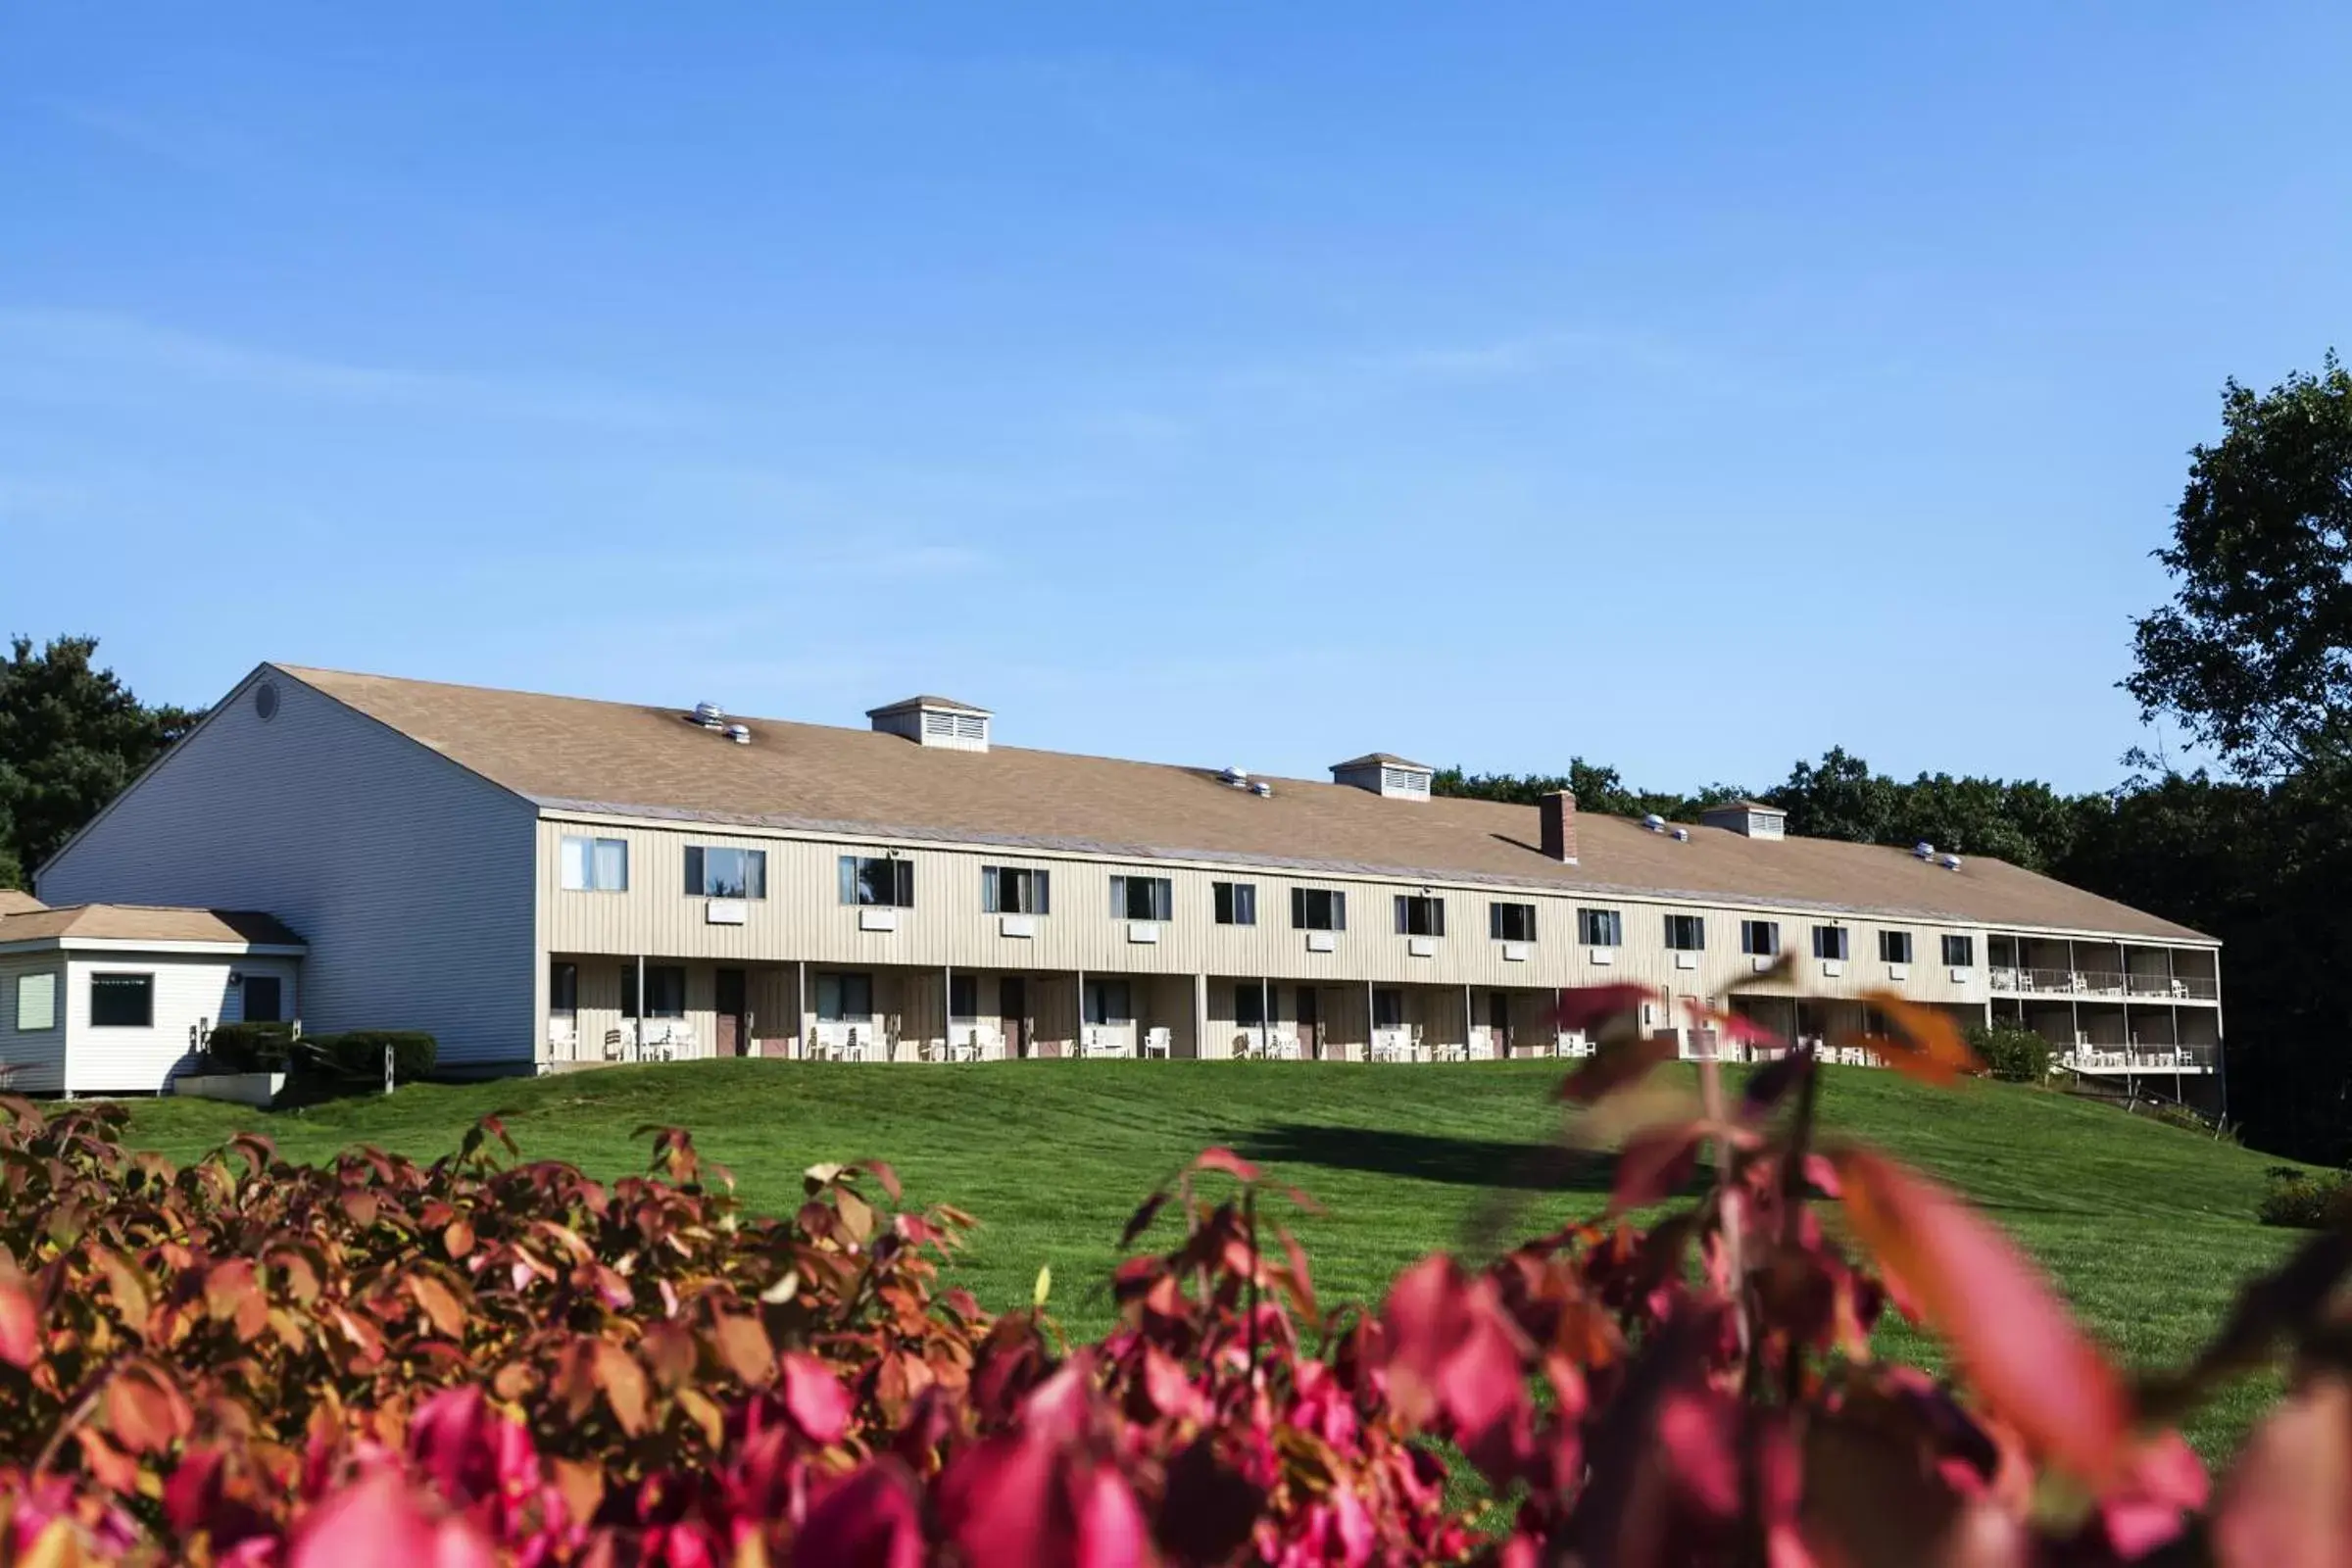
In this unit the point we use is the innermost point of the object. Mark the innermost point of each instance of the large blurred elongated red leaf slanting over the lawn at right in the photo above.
(2010, 1332)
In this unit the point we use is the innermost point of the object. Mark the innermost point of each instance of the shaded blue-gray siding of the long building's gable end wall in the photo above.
(410, 878)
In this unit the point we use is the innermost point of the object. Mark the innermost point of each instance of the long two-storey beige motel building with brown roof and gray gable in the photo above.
(552, 883)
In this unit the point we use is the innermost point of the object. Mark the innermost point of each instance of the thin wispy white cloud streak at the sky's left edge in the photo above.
(76, 356)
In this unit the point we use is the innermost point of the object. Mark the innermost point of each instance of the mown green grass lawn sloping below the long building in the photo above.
(2146, 1228)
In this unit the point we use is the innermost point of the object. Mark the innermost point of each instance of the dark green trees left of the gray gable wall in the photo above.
(72, 737)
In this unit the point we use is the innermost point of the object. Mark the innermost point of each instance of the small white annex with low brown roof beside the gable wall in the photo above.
(109, 998)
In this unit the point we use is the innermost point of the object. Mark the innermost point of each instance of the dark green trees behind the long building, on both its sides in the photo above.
(2252, 657)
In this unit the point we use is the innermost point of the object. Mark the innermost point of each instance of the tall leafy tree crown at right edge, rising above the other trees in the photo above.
(2254, 655)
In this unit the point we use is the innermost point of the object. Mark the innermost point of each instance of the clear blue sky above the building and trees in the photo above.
(1681, 387)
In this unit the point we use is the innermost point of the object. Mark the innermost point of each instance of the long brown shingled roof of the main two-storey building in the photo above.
(575, 753)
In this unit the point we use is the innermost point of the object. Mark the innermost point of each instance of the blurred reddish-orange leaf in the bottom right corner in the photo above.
(2290, 1501)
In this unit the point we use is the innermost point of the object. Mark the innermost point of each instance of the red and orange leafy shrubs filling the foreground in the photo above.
(495, 1362)
